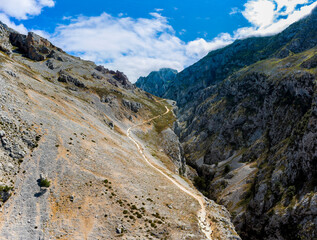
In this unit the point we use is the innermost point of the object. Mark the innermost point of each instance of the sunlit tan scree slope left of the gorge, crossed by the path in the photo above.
(67, 167)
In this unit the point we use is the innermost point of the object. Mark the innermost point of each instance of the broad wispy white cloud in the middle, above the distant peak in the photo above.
(135, 46)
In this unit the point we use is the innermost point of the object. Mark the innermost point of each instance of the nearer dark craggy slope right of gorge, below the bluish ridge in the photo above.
(255, 140)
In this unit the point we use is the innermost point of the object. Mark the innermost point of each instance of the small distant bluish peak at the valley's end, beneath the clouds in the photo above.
(157, 82)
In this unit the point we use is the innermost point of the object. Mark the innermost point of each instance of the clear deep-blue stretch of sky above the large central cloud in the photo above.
(190, 19)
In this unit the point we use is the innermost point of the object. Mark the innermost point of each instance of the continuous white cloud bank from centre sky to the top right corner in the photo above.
(139, 46)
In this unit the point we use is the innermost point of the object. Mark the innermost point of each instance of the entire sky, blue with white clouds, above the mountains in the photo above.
(140, 36)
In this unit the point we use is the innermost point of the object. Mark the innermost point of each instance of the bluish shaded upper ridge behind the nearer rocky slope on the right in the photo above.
(188, 86)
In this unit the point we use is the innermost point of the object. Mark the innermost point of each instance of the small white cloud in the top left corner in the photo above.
(22, 9)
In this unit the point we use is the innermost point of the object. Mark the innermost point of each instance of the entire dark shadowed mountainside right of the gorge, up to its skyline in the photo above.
(247, 121)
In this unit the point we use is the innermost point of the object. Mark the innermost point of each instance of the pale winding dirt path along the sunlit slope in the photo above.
(201, 214)
